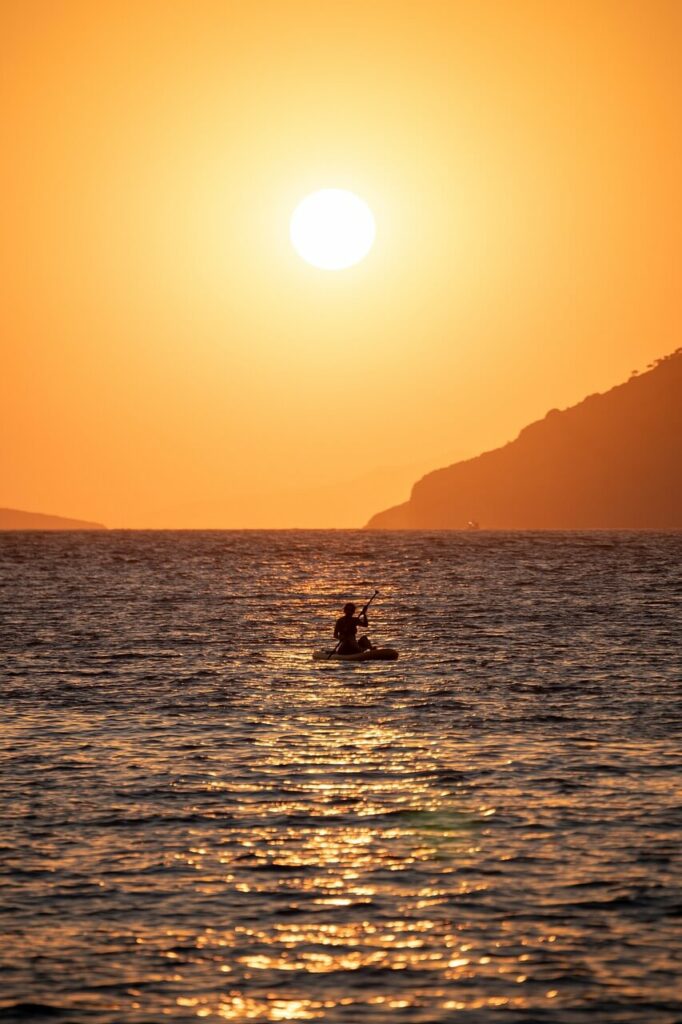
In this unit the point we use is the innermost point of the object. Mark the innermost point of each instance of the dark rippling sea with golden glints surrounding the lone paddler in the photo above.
(201, 824)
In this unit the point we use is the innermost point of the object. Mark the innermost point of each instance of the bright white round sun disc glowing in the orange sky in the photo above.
(332, 229)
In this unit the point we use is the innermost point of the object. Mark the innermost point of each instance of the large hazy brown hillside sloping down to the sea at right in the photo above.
(613, 462)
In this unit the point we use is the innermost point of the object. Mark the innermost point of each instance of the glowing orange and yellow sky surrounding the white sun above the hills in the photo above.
(169, 361)
